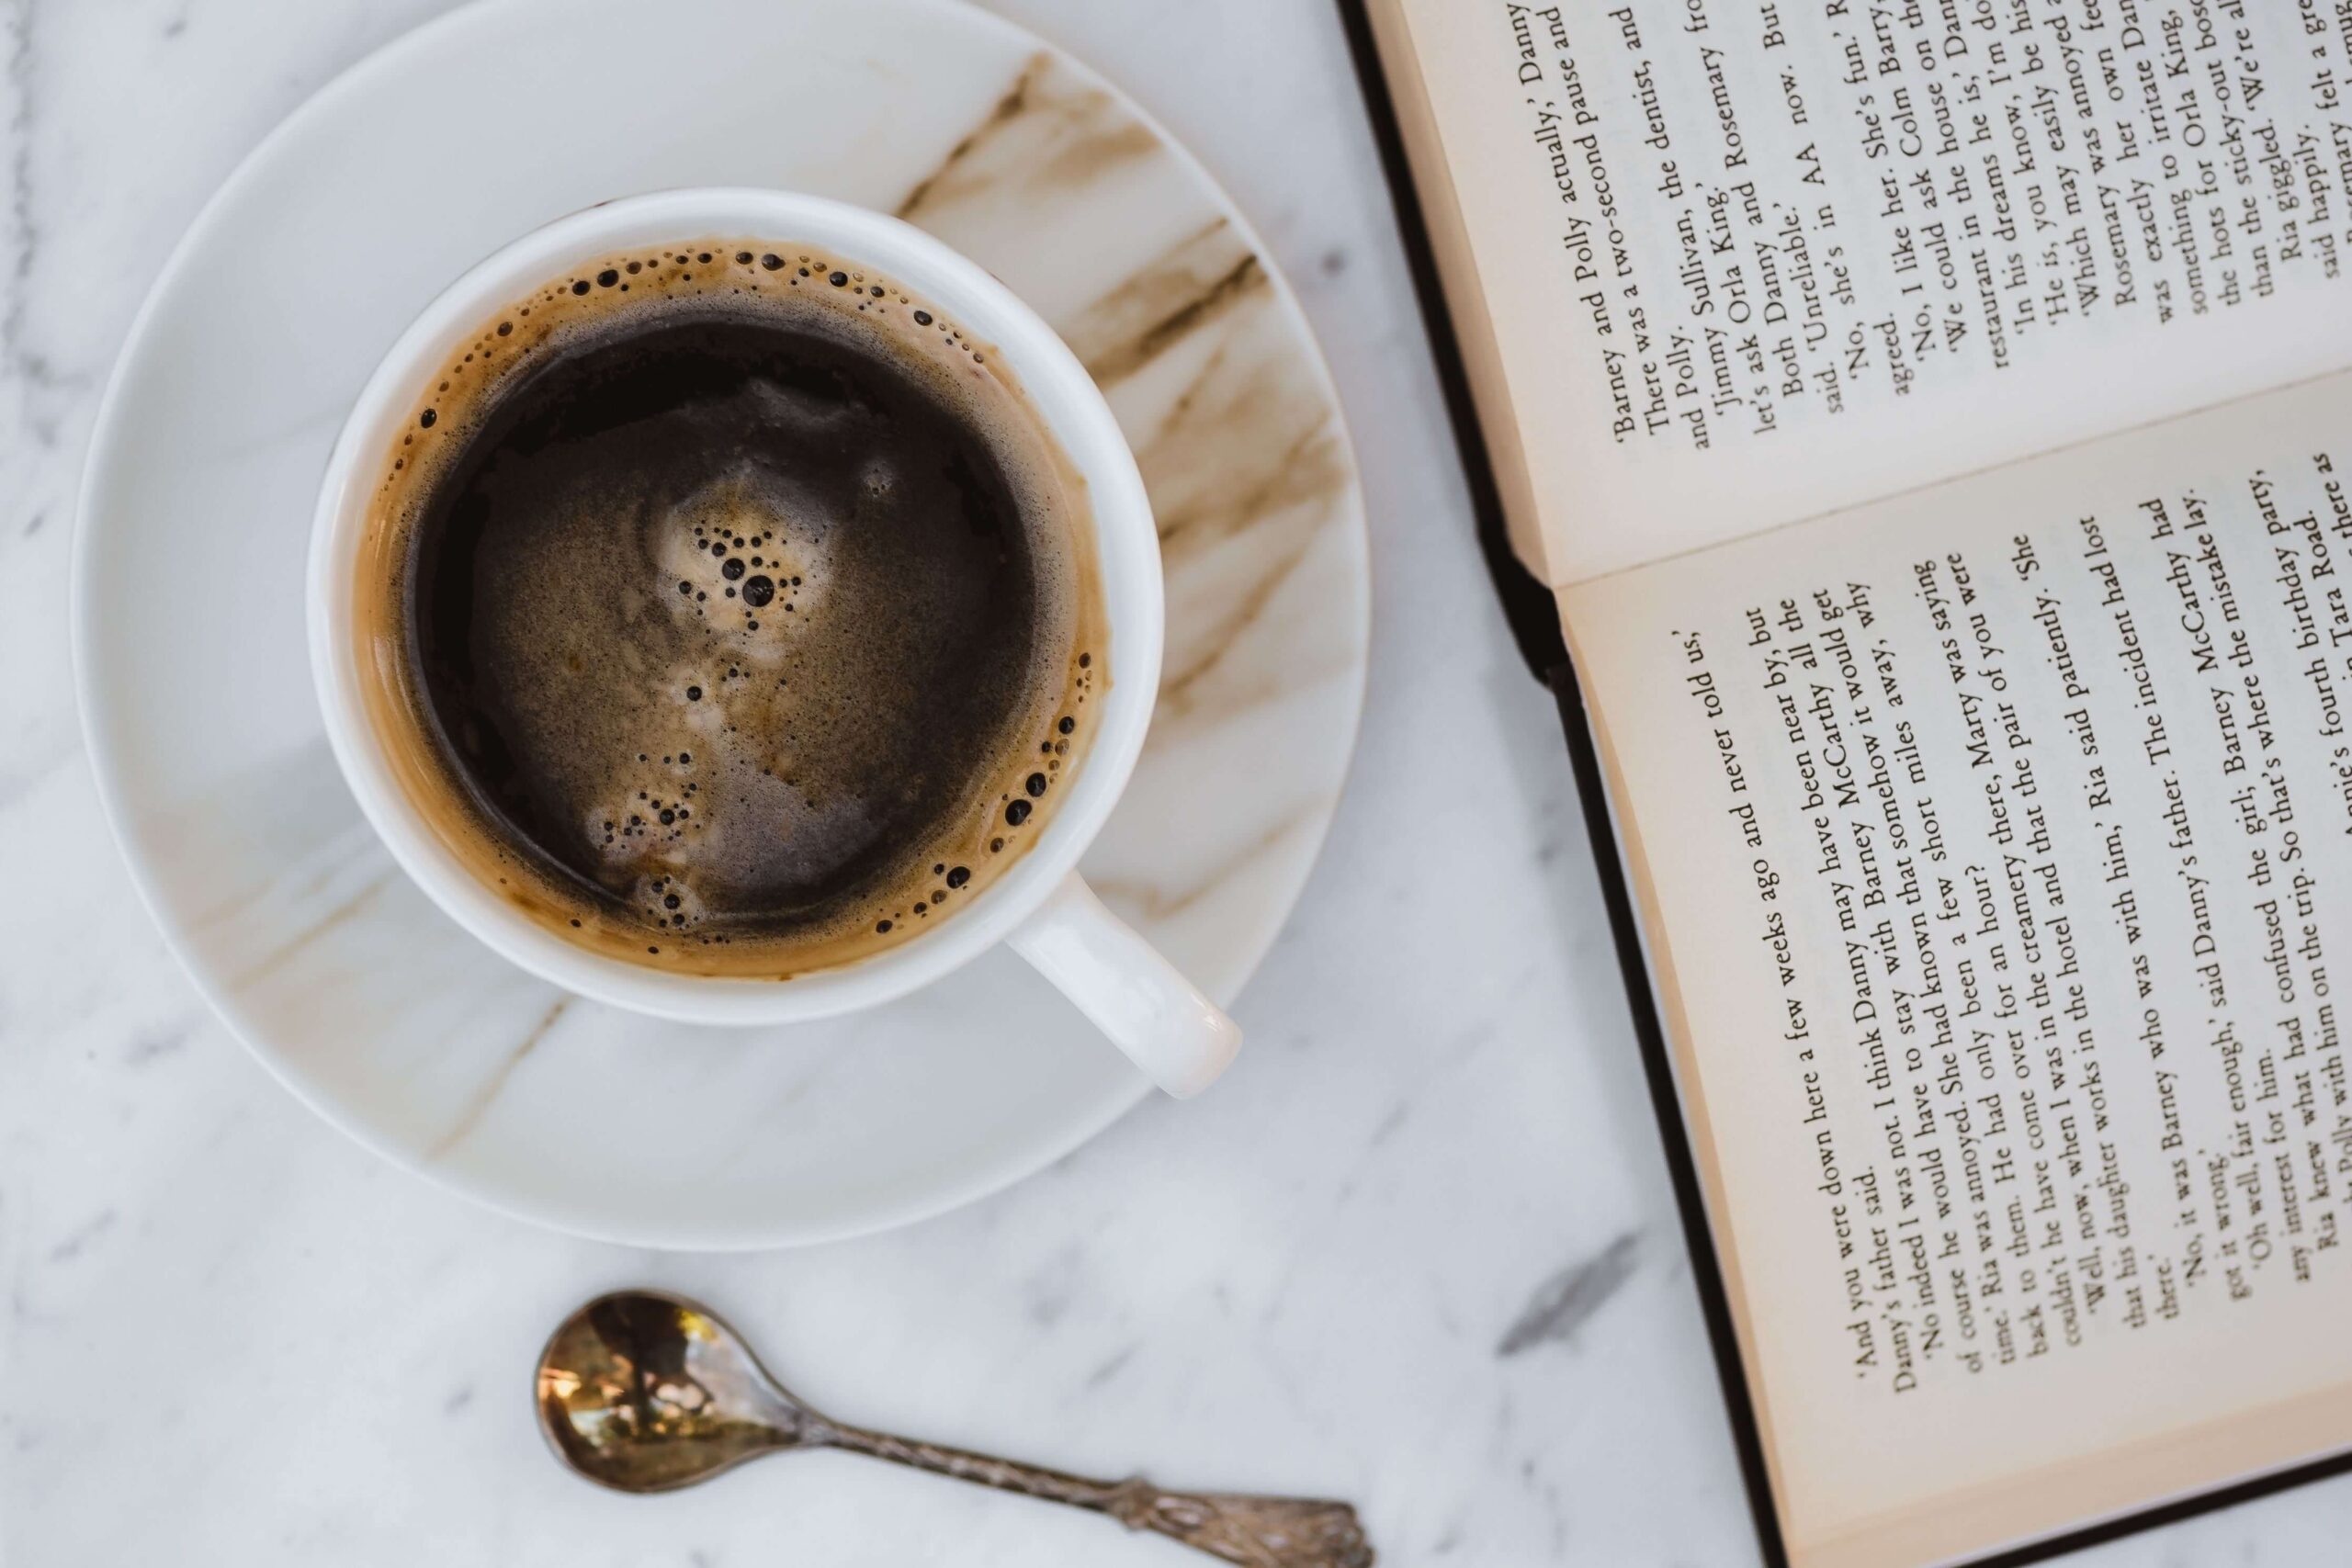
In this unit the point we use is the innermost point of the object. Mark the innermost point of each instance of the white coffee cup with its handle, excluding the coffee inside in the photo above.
(1038, 906)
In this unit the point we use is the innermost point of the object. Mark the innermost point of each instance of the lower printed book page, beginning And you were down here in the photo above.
(1998, 857)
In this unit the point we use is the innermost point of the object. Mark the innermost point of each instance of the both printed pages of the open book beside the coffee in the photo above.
(1935, 424)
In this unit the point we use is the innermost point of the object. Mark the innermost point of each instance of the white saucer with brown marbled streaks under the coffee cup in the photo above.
(189, 619)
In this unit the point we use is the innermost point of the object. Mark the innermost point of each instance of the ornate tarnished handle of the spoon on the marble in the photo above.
(1238, 1529)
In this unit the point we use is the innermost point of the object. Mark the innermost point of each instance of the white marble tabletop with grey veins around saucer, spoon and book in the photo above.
(1415, 1252)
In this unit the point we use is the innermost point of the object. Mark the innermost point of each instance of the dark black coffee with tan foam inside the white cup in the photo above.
(730, 610)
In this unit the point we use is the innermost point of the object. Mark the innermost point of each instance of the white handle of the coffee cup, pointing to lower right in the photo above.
(1132, 996)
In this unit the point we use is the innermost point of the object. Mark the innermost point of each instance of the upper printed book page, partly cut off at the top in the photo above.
(1742, 264)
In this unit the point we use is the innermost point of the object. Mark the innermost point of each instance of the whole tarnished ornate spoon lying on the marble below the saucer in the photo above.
(648, 1393)
